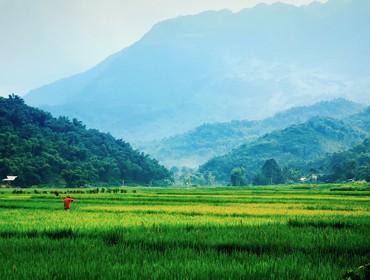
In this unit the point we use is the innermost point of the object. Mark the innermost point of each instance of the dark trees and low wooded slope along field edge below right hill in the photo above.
(346, 166)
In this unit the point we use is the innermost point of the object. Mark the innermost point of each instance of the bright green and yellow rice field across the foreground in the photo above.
(284, 232)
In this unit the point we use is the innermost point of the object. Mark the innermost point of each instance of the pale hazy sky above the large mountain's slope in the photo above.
(45, 40)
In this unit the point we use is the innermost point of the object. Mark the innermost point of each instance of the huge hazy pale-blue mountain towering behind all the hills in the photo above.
(221, 66)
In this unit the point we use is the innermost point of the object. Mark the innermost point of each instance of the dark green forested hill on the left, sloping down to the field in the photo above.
(43, 150)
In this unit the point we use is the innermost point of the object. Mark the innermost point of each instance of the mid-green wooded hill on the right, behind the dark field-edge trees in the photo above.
(295, 146)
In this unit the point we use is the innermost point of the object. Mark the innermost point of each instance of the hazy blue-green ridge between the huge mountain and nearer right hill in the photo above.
(209, 140)
